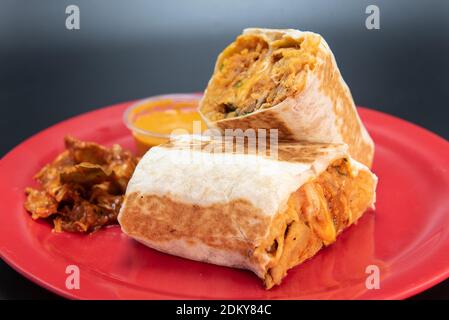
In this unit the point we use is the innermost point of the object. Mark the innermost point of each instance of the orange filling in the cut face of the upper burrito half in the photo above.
(252, 74)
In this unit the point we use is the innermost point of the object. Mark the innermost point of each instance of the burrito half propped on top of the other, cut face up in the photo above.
(286, 80)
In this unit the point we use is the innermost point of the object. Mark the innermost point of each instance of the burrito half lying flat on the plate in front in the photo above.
(236, 208)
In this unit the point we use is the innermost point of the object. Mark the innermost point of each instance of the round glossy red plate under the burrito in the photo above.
(407, 237)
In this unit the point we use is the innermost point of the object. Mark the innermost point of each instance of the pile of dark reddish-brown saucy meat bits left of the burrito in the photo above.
(82, 189)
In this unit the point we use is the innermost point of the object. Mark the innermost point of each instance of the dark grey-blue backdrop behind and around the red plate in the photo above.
(127, 50)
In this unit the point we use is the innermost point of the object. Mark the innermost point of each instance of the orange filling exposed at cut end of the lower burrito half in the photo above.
(316, 214)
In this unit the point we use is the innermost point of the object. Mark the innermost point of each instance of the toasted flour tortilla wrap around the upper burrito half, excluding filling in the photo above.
(323, 112)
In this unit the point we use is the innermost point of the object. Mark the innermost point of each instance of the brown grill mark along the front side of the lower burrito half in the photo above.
(155, 216)
